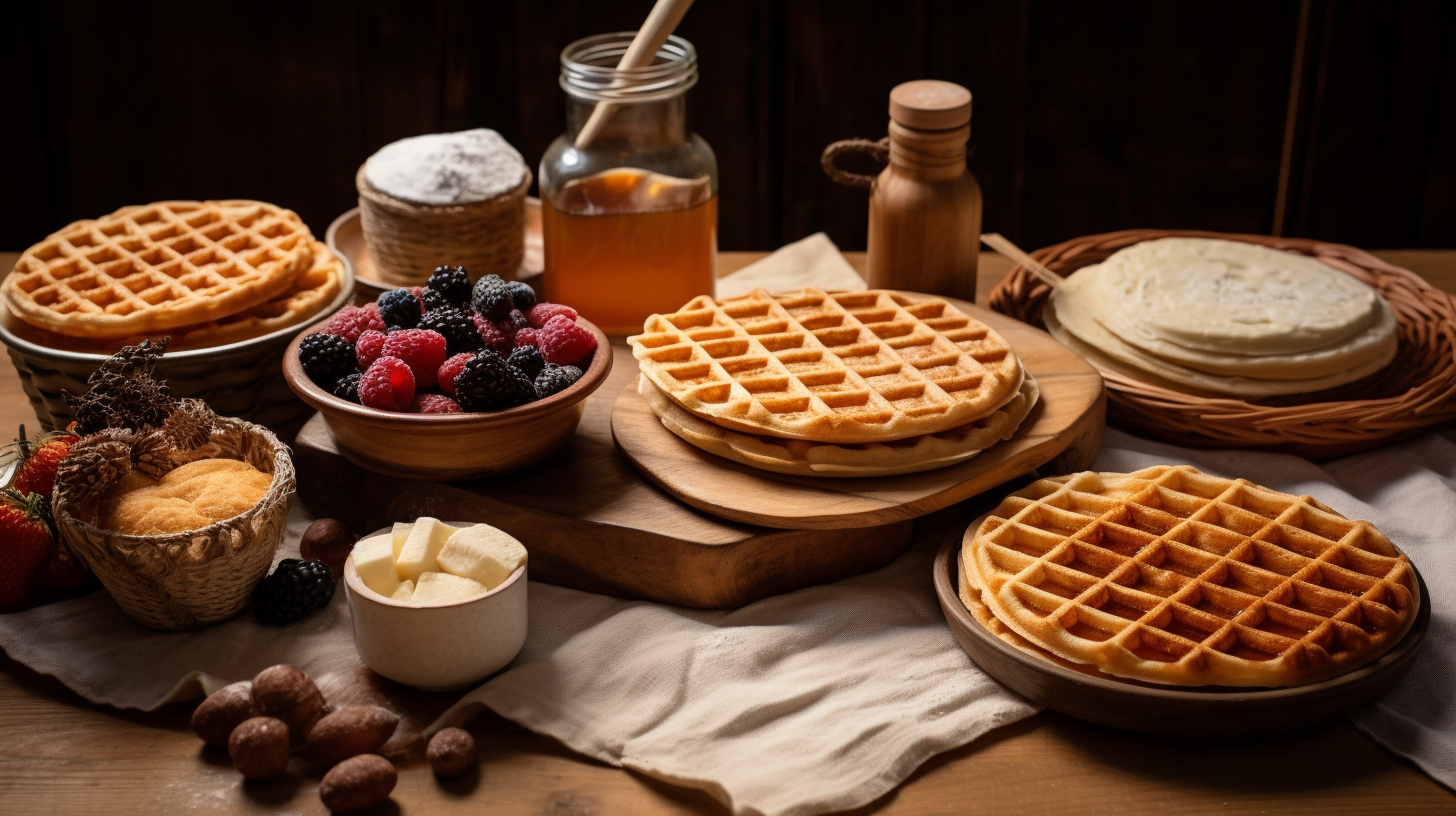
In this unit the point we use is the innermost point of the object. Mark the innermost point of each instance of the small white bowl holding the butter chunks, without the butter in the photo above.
(438, 648)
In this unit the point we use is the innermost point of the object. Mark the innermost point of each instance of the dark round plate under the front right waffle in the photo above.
(1177, 712)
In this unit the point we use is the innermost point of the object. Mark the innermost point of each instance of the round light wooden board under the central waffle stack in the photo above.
(1062, 435)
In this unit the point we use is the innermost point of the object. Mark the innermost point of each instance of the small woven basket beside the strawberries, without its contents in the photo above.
(199, 578)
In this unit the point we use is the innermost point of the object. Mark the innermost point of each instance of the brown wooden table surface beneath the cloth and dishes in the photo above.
(60, 754)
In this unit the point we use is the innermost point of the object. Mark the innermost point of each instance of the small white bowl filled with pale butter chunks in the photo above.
(420, 620)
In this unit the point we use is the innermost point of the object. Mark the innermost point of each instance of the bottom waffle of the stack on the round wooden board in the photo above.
(806, 458)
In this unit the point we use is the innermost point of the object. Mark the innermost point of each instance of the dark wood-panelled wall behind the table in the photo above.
(1323, 119)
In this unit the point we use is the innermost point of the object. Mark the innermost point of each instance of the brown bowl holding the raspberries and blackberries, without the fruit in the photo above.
(452, 447)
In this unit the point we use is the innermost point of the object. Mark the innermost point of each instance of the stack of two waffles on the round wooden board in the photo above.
(864, 384)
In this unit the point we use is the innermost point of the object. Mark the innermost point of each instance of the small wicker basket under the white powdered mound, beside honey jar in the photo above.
(408, 241)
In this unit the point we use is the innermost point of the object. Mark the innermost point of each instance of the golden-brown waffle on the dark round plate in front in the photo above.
(1179, 578)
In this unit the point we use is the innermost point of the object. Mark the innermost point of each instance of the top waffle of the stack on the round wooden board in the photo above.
(847, 368)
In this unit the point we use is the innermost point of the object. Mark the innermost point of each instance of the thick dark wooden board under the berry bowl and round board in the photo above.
(592, 522)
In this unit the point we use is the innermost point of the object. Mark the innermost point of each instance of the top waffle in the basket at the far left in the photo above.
(155, 267)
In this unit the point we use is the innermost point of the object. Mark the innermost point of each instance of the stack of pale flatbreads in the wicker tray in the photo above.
(1224, 317)
